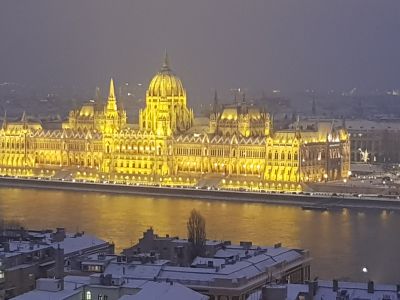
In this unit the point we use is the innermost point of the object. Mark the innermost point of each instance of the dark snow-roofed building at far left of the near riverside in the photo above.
(27, 255)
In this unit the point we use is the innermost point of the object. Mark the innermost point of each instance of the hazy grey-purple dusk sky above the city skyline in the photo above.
(253, 44)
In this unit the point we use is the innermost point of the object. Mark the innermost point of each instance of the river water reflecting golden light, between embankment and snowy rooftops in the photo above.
(341, 242)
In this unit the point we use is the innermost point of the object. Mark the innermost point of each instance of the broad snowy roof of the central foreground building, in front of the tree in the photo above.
(251, 264)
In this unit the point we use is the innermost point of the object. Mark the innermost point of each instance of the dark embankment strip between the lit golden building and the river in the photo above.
(301, 199)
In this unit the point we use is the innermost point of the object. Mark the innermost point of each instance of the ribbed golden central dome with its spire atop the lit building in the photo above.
(165, 83)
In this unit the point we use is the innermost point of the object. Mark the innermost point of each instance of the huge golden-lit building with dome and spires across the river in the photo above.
(238, 148)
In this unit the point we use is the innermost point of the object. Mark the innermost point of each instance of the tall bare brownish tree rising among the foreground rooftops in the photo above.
(196, 226)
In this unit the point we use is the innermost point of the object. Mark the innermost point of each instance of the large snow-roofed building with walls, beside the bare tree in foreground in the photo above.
(226, 271)
